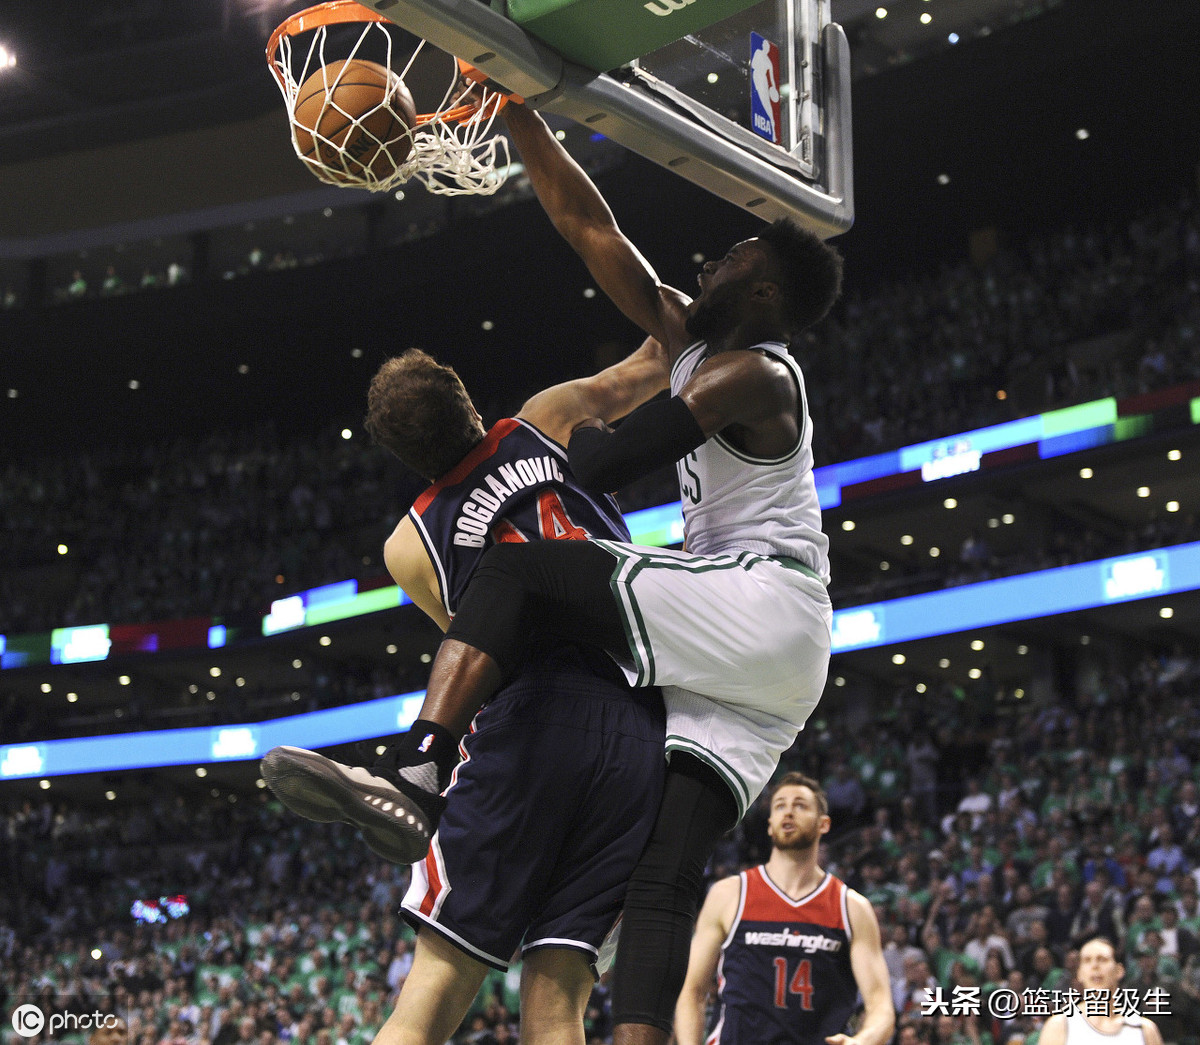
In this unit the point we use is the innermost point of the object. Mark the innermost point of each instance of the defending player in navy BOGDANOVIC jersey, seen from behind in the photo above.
(532, 846)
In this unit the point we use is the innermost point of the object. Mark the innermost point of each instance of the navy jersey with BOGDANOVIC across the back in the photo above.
(514, 487)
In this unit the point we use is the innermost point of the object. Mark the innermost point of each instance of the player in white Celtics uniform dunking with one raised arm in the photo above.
(736, 629)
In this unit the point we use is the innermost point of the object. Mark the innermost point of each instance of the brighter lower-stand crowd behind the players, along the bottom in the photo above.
(992, 843)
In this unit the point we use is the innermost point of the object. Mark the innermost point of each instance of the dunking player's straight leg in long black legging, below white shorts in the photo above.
(663, 899)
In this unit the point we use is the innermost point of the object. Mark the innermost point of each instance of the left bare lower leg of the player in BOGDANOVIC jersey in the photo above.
(436, 998)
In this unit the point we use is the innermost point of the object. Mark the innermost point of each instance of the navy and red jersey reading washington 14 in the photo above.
(785, 976)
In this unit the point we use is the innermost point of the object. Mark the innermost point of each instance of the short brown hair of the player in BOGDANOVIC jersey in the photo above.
(419, 411)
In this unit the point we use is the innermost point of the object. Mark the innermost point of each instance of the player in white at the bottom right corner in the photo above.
(1100, 1020)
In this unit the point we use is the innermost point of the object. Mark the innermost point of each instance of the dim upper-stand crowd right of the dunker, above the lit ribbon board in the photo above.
(1076, 316)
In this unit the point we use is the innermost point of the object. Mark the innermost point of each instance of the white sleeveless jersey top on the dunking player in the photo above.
(737, 503)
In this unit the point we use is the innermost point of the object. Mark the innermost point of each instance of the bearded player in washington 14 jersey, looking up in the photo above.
(791, 946)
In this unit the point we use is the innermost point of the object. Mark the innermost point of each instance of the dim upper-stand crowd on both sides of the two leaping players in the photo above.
(233, 522)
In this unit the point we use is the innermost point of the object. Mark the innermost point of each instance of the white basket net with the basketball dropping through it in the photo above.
(454, 151)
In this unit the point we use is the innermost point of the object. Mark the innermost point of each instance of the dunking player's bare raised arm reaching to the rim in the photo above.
(580, 214)
